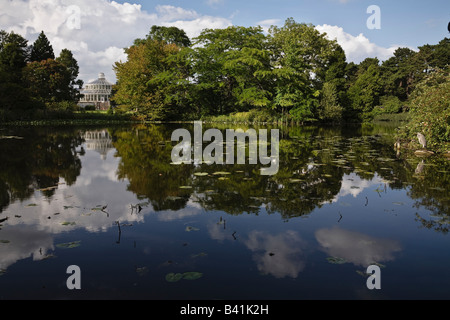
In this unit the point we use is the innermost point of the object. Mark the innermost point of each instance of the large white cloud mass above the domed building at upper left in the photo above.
(105, 27)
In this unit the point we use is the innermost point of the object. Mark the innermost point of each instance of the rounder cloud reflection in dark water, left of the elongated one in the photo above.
(280, 255)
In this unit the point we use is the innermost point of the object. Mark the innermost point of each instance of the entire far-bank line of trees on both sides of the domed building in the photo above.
(291, 73)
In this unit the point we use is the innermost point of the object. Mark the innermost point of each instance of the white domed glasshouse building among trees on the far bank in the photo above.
(97, 93)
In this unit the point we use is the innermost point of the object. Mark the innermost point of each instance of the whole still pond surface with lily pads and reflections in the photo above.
(110, 201)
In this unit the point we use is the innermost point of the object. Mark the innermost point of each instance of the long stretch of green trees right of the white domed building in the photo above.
(293, 72)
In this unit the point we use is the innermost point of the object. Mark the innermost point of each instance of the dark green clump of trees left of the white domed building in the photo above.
(33, 81)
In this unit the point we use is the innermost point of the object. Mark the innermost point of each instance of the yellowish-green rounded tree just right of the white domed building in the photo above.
(154, 80)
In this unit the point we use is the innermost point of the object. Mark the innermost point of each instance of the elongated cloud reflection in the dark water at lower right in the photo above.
(357, 248)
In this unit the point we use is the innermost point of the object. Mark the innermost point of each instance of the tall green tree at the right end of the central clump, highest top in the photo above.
(301, 59)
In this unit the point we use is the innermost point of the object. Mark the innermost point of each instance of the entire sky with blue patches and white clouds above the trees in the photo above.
(97, 31)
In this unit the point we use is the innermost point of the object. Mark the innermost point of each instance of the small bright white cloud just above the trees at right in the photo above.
(357, 48)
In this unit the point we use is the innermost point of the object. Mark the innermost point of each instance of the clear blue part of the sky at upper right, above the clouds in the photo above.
(403, 22)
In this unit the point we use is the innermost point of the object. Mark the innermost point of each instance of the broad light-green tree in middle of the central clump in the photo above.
(232, 70)
